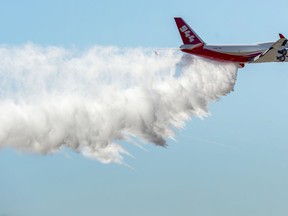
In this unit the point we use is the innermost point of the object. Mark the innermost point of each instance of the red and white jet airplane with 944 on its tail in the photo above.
(238, 54)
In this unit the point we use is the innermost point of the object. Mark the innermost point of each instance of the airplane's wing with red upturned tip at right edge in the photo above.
(276, 53)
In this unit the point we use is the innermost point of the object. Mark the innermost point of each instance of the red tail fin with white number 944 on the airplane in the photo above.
(187, 34)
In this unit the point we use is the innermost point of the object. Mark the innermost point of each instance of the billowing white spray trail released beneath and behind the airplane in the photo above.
(52, 97)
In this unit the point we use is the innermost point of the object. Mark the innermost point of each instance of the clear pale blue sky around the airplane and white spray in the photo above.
(231, 163)
